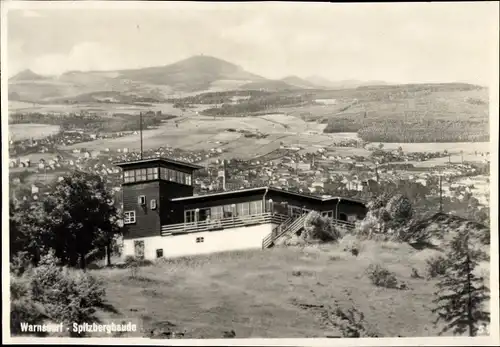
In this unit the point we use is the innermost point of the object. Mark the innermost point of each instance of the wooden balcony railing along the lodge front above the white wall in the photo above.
(224, 223)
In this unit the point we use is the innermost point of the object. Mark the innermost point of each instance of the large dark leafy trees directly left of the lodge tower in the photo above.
(78, 221)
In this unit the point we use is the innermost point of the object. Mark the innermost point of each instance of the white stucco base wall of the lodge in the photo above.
(214, 241)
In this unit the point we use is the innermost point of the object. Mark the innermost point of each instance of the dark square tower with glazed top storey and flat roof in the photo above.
(148, 186)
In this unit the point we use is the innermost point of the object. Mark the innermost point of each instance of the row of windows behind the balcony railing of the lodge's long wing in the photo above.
(225, 211)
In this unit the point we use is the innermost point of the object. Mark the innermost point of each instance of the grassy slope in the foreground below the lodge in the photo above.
(252, 292)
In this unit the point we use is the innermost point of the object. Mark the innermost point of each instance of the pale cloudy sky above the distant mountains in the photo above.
(398, 42)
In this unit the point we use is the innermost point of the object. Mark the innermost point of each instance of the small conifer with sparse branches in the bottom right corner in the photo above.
(461, 293)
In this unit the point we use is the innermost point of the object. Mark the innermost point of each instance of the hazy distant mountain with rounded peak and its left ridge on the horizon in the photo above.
(198, 73)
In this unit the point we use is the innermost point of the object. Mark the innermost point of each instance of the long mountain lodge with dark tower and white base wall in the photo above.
(162, 217)
